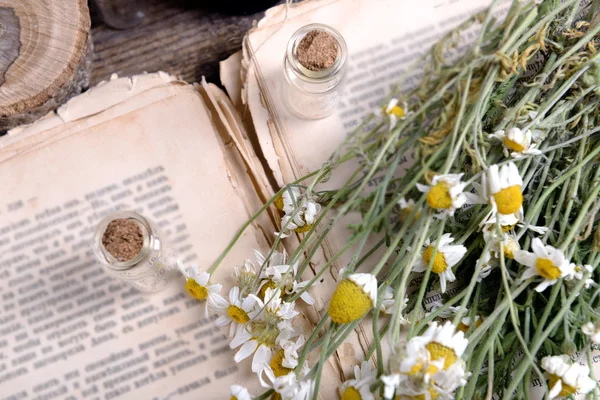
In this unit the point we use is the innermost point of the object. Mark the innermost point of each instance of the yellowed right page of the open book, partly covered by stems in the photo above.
(384, 38)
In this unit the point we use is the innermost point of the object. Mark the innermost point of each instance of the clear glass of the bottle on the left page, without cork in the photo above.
(154, 267)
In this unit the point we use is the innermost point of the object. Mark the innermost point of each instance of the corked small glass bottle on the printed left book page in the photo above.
(132, 248)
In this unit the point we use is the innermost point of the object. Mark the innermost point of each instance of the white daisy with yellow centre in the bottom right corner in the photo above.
(566, 378)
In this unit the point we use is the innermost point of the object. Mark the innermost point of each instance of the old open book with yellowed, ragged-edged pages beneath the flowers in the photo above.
(199, 164)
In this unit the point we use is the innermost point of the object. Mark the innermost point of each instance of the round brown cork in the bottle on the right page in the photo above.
(317, 51)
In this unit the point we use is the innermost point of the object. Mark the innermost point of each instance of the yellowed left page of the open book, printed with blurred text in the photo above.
(67, 329)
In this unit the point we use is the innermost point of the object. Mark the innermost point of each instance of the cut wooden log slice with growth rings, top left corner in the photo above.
(45, 56)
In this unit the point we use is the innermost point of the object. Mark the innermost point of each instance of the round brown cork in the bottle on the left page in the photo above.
(123, 239)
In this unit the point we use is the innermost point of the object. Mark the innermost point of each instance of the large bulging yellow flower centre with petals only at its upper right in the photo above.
(348, 303)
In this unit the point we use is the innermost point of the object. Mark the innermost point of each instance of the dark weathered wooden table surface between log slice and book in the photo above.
(180, 37)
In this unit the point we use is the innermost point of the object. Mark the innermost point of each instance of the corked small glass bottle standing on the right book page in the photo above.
(314, 69)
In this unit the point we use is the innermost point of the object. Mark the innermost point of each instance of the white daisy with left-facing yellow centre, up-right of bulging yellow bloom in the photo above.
(446, 257)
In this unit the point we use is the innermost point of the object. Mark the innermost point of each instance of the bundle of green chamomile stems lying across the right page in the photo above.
(524, 97)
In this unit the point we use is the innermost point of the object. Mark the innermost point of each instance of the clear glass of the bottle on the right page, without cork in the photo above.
(313, 94)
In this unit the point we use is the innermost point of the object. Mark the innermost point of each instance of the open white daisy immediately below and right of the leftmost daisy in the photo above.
(233, 313)
